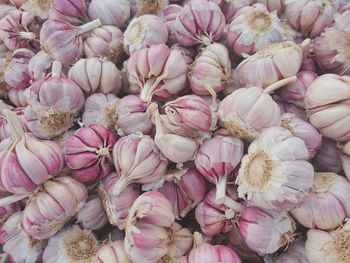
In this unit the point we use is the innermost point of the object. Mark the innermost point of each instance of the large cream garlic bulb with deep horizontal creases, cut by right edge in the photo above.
(327, 104)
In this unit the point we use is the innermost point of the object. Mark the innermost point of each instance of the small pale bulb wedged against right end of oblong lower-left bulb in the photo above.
(92, 215)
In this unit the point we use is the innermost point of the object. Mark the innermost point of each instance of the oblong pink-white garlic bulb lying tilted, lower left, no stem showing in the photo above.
(55, 202)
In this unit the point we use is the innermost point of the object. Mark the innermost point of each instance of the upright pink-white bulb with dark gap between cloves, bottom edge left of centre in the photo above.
(147, 231)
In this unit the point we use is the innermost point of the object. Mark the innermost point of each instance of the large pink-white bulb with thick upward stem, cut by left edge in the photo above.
(26, 162)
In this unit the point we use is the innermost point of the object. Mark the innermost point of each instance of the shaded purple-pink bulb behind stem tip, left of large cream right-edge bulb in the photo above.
(295, 92)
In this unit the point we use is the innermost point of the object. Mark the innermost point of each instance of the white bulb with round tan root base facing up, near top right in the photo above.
(252, 28)
